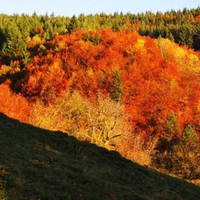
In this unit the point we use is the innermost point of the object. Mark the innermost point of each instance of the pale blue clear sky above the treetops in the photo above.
(77, 7)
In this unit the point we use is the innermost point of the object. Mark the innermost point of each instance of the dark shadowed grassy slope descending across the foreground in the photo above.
(40, 164)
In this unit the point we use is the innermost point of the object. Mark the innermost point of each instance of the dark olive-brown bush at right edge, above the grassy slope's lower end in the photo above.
(183, 157)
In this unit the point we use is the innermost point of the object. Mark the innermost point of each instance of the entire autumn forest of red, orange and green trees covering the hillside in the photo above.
(126, 82)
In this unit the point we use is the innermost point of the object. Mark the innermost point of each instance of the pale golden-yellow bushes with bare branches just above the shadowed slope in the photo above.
(101, 122)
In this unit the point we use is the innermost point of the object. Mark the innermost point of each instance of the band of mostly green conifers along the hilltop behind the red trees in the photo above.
(183, 27)
